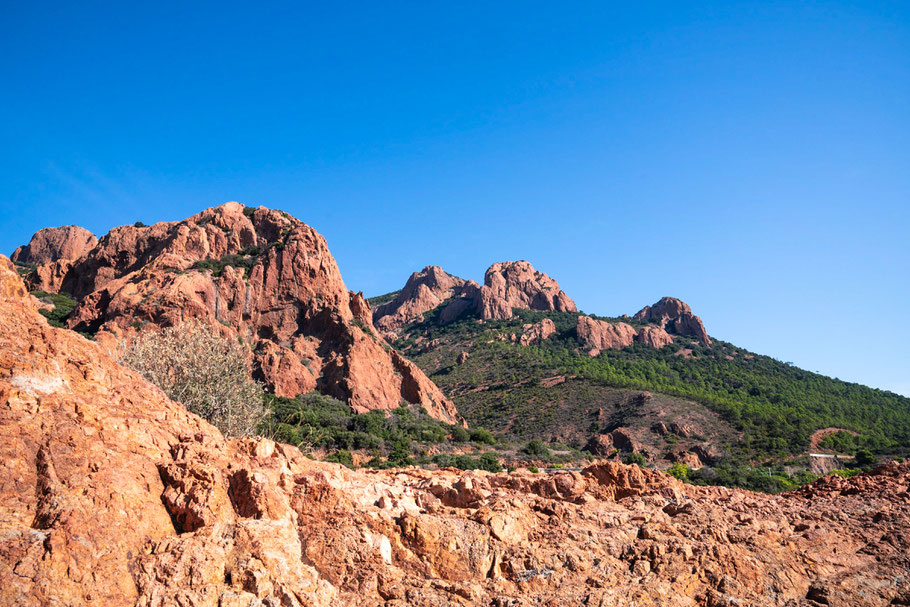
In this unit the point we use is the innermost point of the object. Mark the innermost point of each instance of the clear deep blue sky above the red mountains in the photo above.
(752, 159)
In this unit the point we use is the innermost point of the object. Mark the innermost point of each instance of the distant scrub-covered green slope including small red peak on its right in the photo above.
(746, 406)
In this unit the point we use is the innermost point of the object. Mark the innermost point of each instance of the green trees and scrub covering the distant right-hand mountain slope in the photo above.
(775, 406)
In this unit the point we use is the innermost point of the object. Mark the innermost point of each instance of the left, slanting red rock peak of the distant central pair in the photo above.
(424, 291)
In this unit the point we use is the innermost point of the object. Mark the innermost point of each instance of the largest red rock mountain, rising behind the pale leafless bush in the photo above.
(262, 277)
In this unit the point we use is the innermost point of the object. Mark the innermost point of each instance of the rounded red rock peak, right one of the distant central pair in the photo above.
(507, 285)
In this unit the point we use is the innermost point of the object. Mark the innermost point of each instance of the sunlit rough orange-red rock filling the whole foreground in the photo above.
(112, 495)
